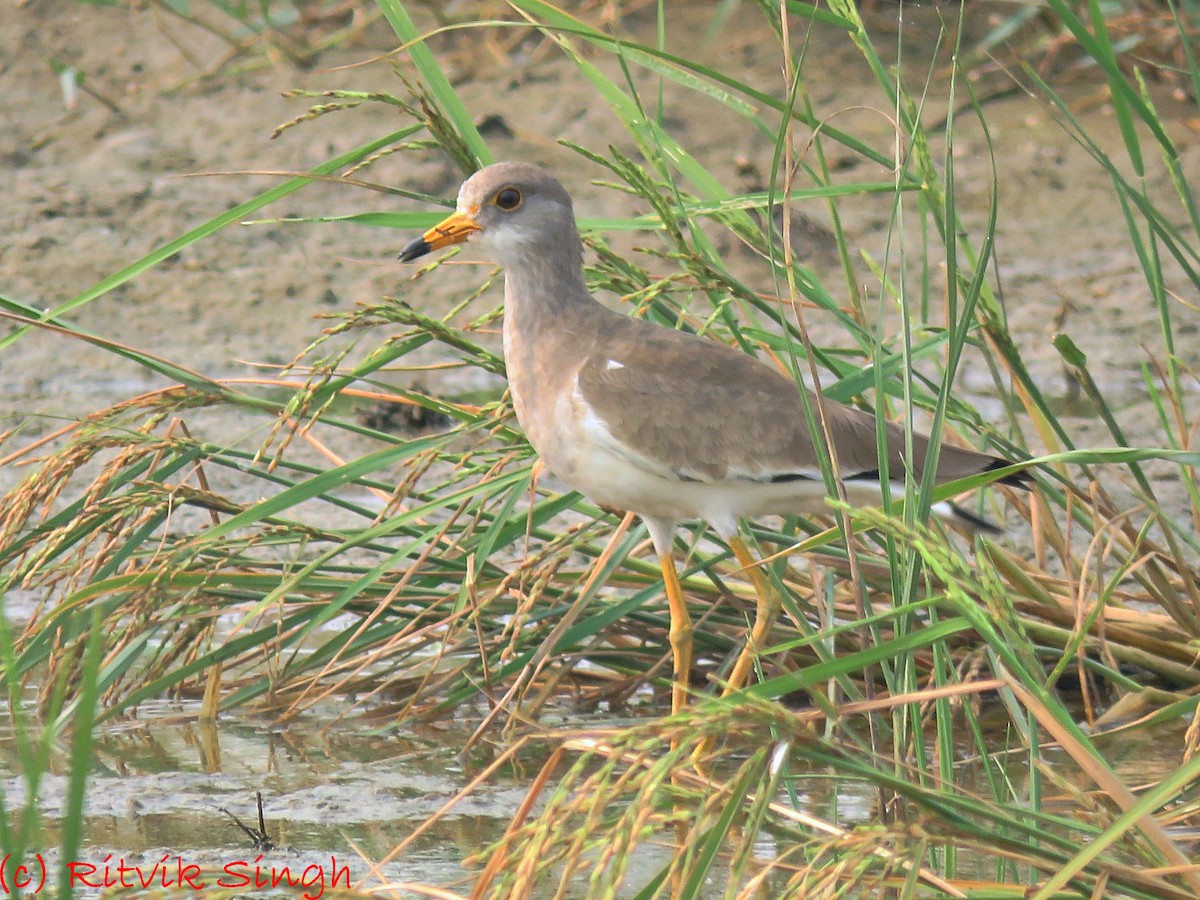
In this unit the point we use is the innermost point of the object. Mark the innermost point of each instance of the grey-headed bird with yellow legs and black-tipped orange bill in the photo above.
(662, 423)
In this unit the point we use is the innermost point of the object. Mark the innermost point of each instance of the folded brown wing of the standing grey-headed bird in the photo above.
(709, 413)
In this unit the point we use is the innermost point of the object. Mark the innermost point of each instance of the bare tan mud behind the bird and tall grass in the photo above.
(97, 188)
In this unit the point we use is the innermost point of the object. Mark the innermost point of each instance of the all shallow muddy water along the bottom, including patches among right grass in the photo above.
(339, 799)
